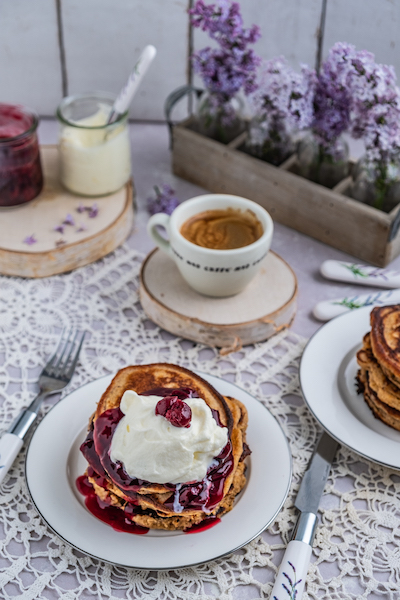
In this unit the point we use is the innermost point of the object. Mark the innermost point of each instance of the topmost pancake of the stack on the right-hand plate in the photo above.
(385, 340)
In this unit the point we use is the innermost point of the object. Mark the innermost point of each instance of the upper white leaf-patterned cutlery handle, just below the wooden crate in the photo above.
(361, 274)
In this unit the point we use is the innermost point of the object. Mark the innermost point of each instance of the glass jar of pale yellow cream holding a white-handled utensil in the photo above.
(94, 155)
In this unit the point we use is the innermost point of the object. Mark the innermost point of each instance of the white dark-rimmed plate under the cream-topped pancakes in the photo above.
(54, 462)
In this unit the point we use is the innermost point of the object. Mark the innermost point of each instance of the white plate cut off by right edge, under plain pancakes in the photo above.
(328, 380)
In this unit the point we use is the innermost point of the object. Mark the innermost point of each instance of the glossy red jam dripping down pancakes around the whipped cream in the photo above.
(200, 495)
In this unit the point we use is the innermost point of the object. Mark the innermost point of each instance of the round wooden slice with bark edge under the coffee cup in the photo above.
(266, 306)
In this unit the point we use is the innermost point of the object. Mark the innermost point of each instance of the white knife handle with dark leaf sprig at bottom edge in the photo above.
(291, 578)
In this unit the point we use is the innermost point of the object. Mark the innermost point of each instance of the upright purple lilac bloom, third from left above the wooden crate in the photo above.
(333, 97)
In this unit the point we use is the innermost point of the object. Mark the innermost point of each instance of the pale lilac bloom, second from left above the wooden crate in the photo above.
(285, 96)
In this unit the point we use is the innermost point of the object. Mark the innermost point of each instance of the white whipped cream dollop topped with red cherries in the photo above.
(153, 449)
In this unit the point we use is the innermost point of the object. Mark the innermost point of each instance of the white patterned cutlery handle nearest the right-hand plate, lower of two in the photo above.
(328, 309)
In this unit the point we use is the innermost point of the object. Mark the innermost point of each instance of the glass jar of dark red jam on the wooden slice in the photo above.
(21, 177)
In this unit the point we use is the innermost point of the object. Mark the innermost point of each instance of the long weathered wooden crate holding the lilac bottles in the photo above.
(326, 215)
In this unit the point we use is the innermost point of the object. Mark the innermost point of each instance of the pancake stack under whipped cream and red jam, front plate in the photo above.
(154, 505)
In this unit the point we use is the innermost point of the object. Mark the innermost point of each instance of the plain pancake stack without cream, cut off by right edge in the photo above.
(379, 361)
